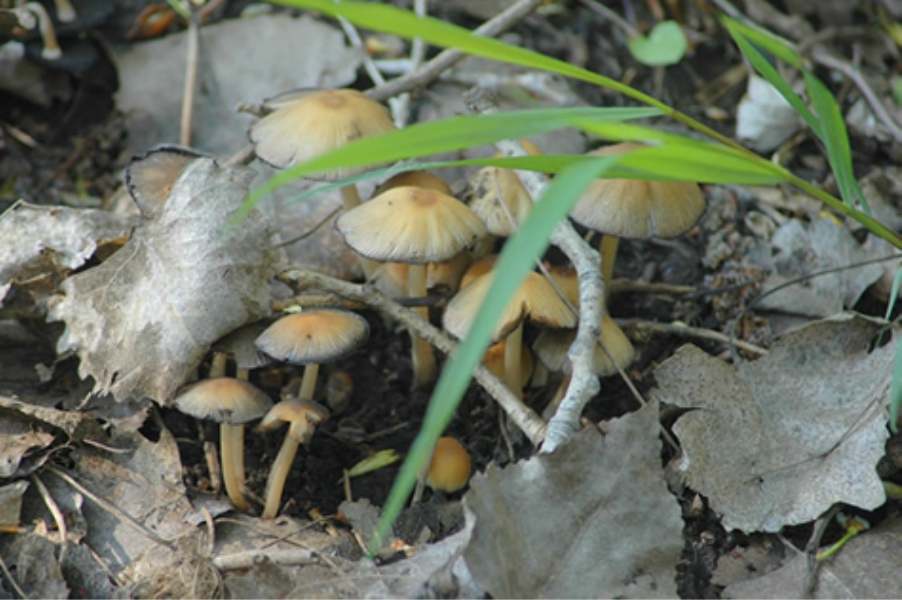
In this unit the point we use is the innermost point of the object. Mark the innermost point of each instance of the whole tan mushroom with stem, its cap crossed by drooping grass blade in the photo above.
(535, 299)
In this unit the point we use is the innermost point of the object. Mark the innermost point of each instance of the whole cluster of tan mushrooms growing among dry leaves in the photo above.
(413, 235)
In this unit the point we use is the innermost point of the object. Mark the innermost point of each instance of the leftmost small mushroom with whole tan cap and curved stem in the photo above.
(229, 402)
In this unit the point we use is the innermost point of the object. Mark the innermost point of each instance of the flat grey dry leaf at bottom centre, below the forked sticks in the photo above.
(593, 519)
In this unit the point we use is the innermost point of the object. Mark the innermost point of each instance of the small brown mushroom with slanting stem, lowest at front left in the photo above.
(302, 417)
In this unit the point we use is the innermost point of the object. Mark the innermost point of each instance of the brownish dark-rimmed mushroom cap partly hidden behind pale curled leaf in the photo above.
(149, 178)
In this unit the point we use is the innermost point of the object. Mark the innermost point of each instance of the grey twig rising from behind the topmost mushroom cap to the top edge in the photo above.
(448, 58)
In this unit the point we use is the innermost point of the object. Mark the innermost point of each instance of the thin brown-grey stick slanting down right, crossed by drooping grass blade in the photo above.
(524, 417)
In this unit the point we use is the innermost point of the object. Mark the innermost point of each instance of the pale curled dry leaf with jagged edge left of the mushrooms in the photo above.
(142, 320)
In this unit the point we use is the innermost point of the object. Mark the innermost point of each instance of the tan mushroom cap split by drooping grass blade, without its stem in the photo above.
(534, 299)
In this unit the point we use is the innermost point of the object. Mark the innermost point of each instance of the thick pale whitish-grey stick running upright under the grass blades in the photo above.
(584, 384)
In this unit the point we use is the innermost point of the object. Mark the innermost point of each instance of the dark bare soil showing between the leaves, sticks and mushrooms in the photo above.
(43, 162)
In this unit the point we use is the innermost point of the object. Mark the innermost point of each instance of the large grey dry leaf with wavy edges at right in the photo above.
(779, 440)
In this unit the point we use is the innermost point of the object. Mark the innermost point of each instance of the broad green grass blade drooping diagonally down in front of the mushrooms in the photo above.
(517, 258)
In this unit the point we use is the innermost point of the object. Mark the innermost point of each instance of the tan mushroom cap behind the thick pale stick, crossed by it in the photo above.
(551, 347)
